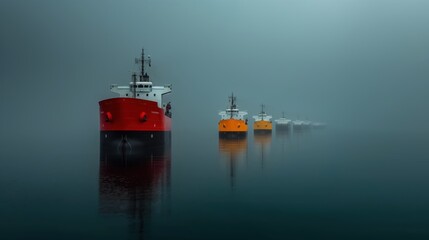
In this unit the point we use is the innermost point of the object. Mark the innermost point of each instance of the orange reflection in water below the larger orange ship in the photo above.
(234, 149)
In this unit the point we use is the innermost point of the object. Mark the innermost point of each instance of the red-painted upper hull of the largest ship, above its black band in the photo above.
(132, 114)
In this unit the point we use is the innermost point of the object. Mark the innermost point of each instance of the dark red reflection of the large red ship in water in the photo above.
(130, 183)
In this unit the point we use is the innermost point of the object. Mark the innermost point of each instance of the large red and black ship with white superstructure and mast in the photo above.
(138, 117)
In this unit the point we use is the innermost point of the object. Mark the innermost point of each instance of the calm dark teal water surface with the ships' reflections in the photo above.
(318, 184)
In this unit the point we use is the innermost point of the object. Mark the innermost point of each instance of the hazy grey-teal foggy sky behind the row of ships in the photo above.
(361, 63)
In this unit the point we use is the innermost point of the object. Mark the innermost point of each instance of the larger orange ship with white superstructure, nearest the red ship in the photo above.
(232, 123)
